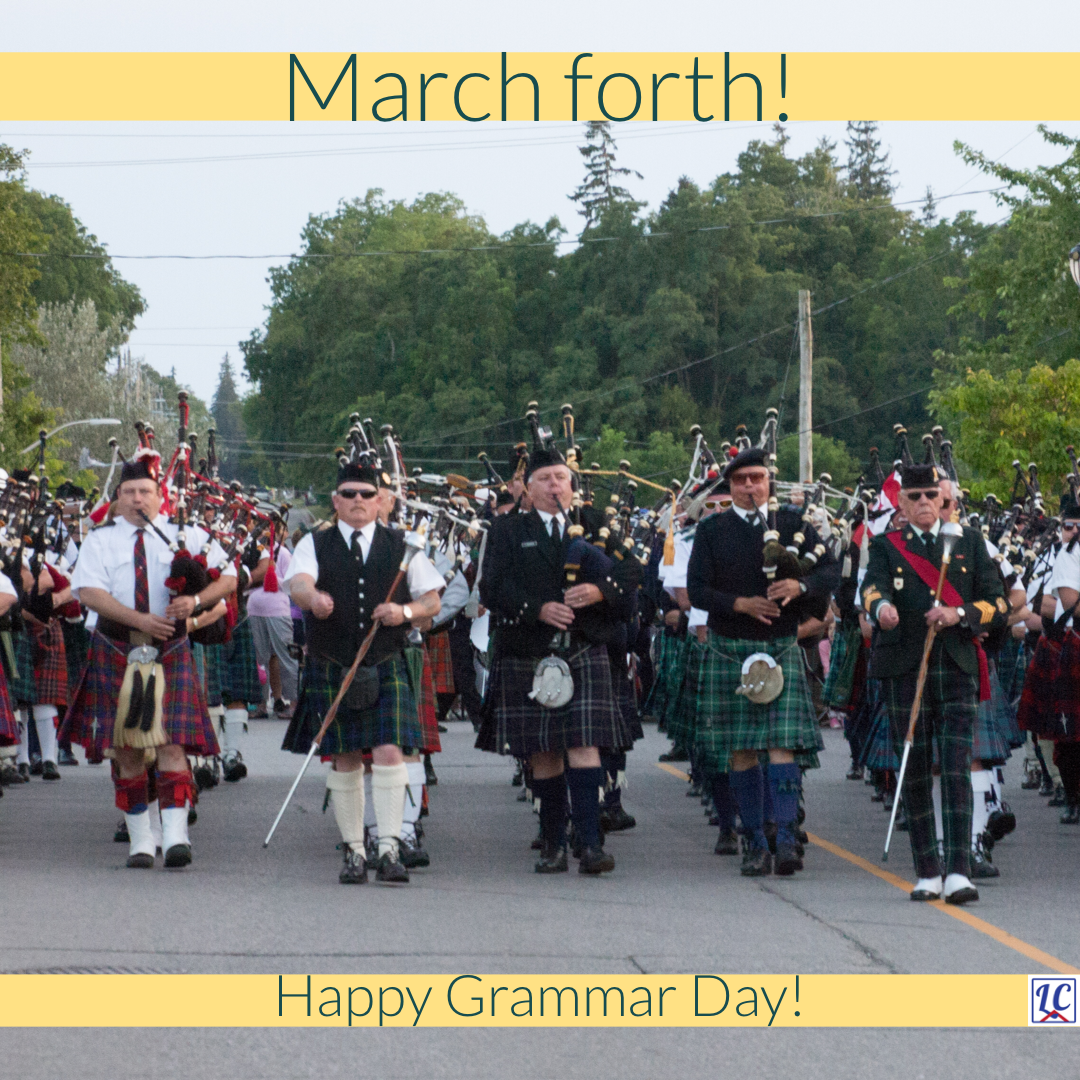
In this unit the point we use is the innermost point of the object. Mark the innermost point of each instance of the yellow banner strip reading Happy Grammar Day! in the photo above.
(474, 1001)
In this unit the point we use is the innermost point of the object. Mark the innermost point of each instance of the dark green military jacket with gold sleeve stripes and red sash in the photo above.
(890, 579)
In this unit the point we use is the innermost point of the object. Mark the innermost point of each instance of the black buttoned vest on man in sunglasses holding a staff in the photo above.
(358, 589)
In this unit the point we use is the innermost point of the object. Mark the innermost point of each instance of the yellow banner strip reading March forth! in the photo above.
(482, 88)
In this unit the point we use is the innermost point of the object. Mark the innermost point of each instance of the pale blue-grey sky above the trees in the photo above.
(198, 190)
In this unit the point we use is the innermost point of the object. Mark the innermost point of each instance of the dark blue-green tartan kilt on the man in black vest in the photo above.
(394, 721)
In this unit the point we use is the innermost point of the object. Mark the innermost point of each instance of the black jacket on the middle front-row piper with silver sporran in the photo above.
(524, 569)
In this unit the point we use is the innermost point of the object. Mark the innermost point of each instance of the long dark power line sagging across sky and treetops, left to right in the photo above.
(504, 247)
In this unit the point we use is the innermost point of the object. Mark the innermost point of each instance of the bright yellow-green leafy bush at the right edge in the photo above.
(1025, 416)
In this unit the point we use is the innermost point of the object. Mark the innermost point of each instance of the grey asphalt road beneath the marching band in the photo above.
(69, 904)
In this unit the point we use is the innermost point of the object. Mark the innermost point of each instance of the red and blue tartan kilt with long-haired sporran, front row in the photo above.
(93, 710)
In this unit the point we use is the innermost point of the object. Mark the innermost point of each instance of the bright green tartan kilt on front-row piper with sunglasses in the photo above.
(728, 722)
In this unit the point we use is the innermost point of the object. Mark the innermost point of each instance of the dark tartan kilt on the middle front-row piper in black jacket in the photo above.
(522, 727)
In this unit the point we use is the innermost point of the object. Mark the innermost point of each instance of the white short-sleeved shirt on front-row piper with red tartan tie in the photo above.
(107, 561)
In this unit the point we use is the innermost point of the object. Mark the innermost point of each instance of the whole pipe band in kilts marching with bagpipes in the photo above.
(740, 613)
